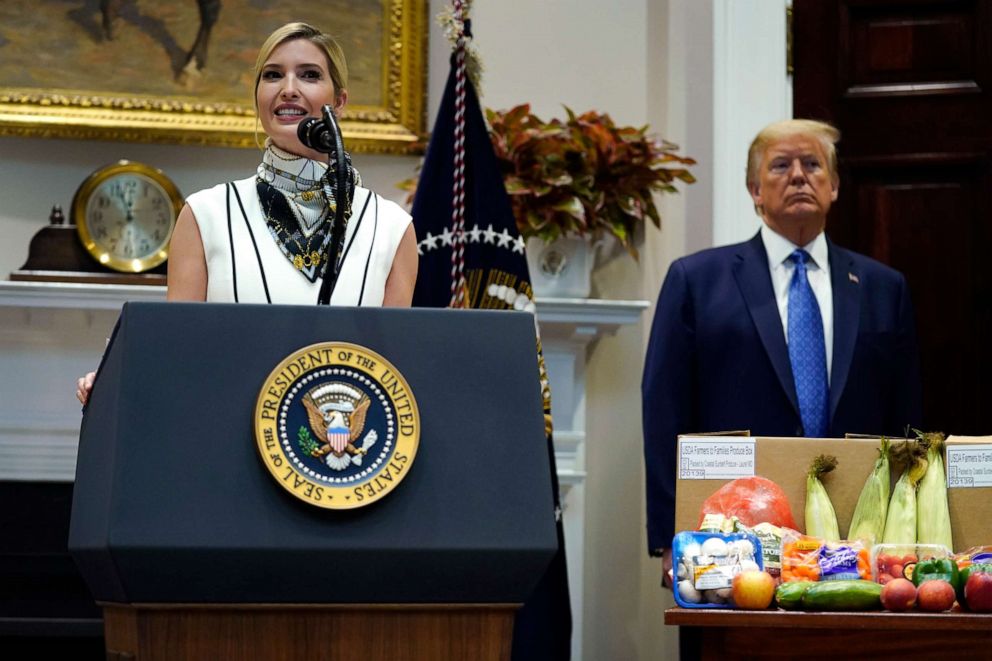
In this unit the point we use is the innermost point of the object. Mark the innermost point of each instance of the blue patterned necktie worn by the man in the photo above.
(807, 350)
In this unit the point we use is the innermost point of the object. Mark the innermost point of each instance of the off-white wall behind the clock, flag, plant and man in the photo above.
(678, 65)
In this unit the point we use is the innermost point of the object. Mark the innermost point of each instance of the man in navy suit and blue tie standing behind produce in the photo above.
(784, 335)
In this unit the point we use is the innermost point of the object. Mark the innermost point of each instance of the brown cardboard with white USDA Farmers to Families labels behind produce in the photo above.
(705, 463)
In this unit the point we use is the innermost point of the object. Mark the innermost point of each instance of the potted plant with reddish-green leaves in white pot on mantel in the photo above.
(579, 180)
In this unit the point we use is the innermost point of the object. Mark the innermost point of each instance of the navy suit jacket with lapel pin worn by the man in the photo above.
(717, 359)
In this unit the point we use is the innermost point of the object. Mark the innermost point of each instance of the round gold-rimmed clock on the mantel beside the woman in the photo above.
(125, 215)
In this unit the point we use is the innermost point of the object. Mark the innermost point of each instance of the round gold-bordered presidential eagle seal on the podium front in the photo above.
(337, 425)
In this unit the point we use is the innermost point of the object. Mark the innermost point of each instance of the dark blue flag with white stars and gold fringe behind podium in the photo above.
(489, 270)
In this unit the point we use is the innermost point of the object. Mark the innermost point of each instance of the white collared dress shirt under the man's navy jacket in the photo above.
(818, 272)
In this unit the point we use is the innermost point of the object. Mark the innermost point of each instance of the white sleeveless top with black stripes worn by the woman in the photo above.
(244, 263)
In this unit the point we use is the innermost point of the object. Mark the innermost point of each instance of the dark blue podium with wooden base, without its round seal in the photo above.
(194, 550)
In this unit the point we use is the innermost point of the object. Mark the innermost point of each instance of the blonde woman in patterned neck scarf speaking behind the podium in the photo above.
(265, 238)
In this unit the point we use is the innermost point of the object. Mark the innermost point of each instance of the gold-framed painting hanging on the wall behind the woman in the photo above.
(182, 71)
